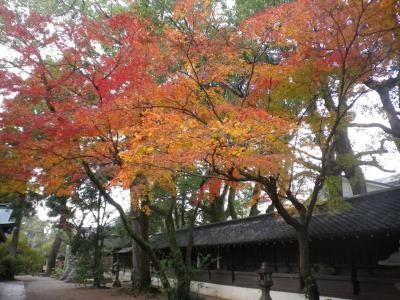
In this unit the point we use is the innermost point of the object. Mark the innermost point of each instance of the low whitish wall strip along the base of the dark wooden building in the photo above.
(238, 293)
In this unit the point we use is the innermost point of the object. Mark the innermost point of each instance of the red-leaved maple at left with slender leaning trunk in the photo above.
(69, 107)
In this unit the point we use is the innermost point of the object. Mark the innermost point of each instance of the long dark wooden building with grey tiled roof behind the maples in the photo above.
(349, 249)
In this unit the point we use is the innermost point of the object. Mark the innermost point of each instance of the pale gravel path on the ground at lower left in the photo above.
(44, 288)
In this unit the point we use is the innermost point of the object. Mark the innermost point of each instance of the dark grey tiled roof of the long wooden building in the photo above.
(375, 212)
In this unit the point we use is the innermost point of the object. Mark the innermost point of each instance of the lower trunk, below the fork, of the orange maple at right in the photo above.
(307, 281)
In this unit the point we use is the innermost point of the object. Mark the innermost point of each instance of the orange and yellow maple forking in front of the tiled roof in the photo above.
(267, 104)
